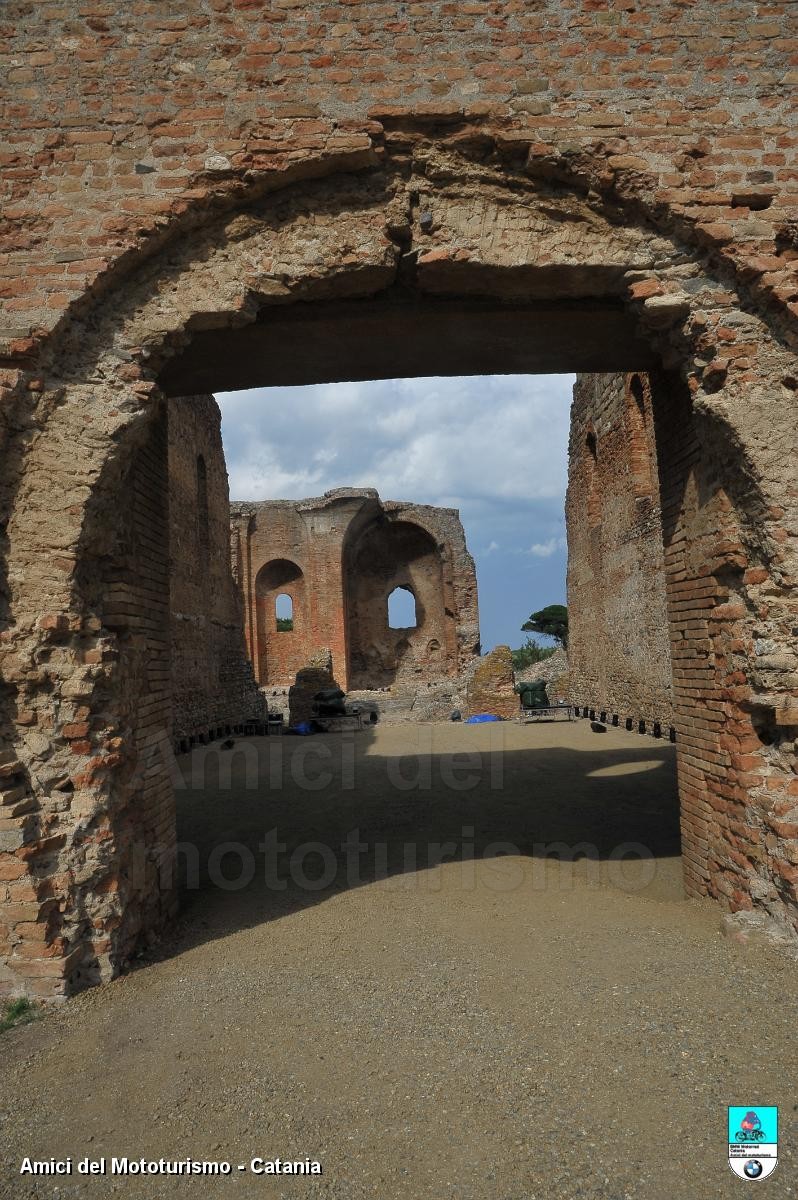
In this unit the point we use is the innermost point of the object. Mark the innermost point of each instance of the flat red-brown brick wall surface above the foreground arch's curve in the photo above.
(117, 117)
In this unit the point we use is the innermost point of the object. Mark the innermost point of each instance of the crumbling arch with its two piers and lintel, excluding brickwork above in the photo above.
(429, 259)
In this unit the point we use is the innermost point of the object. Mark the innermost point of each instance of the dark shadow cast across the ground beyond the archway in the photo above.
(296, 823)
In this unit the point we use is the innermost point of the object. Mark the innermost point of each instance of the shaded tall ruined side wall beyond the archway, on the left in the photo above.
(213, 686)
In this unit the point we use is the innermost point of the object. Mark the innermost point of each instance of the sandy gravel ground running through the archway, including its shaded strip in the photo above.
(500, 1027)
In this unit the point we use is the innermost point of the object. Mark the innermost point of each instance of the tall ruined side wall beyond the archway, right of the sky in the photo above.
(620, 651)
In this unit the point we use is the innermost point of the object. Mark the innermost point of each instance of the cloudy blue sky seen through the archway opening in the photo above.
(494, 447)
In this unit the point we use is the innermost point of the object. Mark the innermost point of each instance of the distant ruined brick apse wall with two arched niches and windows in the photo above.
(339, 557)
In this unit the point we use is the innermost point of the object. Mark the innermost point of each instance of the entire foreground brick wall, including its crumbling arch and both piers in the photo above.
(236, 195)
